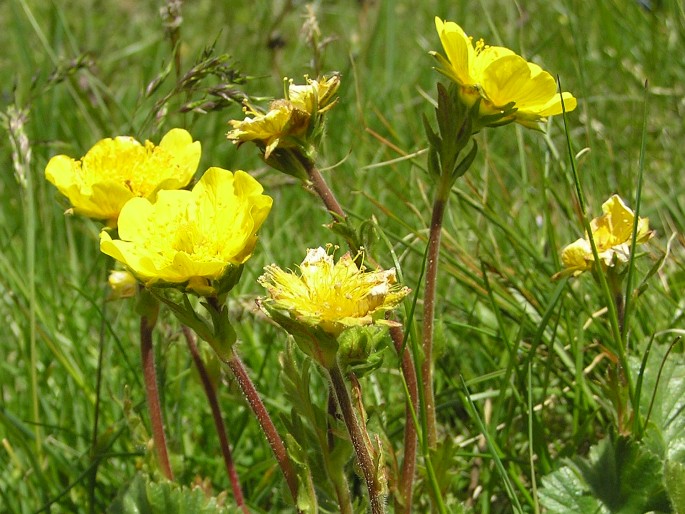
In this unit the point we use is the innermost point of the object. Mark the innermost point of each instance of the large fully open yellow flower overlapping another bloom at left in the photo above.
(191, 237)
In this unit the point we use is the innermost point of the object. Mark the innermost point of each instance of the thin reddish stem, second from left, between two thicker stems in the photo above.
(210, 392)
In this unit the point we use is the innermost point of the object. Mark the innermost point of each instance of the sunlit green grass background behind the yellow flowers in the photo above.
(518, 339)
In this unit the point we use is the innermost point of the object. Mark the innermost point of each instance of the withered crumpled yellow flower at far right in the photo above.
(612, 233)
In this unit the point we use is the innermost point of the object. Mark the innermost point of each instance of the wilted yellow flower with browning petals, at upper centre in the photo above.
(288, 122)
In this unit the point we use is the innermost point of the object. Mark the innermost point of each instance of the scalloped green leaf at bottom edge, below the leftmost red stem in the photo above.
(143, 496)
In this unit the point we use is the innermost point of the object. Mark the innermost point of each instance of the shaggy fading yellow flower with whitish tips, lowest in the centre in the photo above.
(332, 296)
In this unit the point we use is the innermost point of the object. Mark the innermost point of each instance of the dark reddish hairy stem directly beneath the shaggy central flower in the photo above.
(358, 440)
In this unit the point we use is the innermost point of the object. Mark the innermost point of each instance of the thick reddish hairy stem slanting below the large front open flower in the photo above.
(264, 420)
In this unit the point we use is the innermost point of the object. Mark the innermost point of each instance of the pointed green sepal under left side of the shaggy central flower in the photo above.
(313, 341)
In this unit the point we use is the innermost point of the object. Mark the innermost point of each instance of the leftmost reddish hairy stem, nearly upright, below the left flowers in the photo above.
(152, 393)
